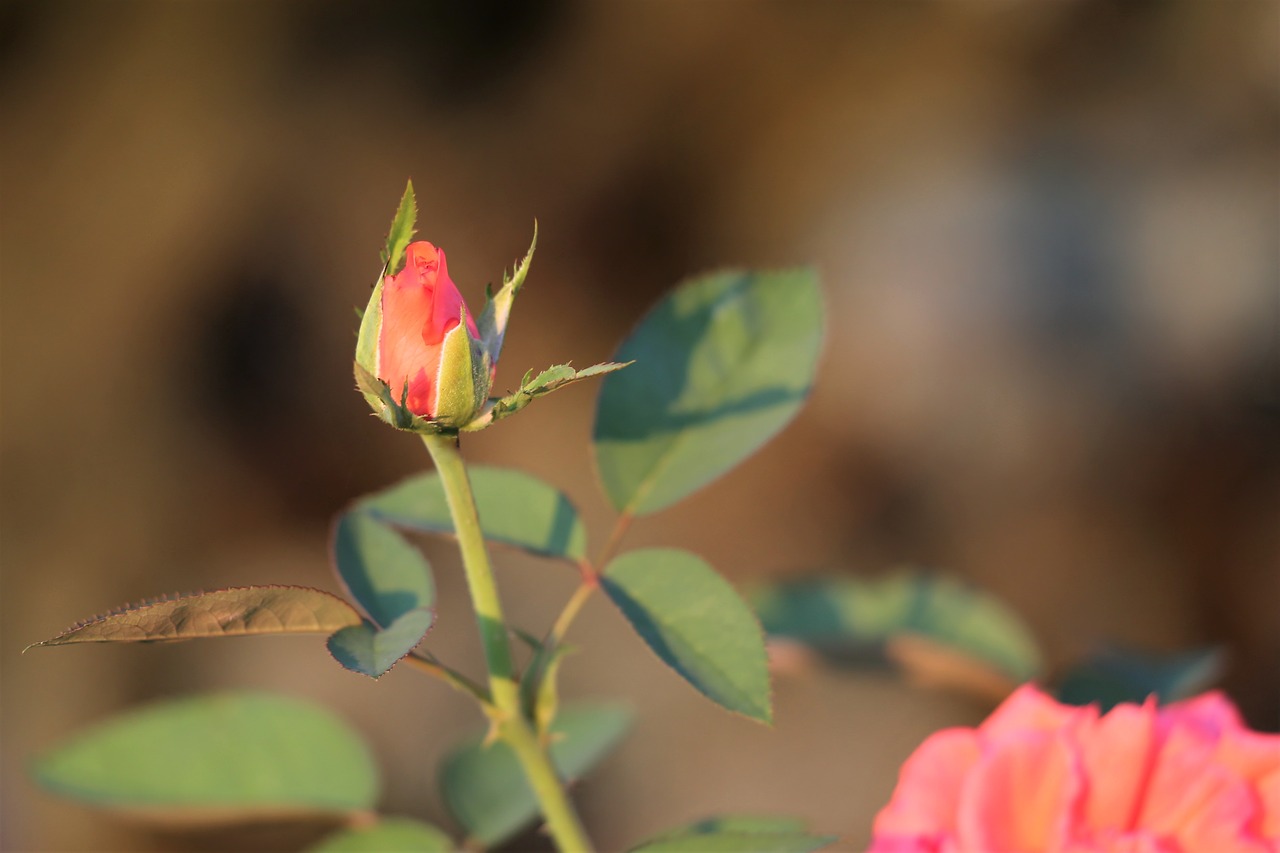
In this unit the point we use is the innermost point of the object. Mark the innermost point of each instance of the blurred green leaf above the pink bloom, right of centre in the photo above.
(852, 621)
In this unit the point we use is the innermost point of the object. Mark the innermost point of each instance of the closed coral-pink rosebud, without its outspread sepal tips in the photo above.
(427, 348)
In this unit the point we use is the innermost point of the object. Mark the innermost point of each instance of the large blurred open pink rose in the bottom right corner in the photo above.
(1039, 776)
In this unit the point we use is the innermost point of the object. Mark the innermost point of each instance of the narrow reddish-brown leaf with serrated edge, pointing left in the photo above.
(225, 613)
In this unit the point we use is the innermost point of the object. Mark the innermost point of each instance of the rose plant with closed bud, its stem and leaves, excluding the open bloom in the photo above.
(714, 372)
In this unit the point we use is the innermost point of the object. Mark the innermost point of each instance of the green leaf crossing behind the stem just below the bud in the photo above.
(515, 508)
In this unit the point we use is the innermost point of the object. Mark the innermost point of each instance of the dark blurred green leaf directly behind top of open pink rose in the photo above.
(1113, 676)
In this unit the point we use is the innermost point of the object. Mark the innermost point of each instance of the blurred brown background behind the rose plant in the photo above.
(1049, 241)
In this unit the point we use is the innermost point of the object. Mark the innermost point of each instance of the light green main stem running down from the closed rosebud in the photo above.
(563, 822)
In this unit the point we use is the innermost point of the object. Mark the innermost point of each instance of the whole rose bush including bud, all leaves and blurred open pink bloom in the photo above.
(715, 371)
